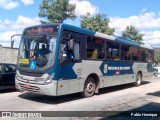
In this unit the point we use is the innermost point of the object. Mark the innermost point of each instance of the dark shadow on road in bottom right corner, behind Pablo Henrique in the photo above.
(145, 112)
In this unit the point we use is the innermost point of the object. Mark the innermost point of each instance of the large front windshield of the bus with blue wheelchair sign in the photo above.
(37, 53)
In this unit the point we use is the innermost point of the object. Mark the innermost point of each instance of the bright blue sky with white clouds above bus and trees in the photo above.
(15, 15)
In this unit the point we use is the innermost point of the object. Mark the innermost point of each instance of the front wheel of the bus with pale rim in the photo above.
(89, 87)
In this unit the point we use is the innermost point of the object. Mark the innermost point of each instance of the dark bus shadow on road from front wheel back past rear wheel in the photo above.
(120, 87)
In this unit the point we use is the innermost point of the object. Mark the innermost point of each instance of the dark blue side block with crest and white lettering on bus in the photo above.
(110, 68)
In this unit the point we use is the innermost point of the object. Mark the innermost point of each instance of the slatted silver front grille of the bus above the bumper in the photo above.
(31, 88)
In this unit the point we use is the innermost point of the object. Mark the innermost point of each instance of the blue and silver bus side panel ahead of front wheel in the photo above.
(69, 78)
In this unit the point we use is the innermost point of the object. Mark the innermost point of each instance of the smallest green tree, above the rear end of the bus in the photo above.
(132, 33)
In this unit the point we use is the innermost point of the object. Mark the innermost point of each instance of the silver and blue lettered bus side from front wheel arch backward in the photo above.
(110, 73)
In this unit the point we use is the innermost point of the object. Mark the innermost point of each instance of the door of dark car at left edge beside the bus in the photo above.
(9, 75)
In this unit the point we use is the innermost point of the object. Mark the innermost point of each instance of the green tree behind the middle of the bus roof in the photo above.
(98, 23)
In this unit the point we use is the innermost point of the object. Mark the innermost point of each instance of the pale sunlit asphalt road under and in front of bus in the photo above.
(119, 98)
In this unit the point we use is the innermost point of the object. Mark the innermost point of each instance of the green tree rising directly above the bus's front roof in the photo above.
(57, 11)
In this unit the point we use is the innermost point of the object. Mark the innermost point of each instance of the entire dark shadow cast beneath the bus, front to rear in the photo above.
(66, 98)
